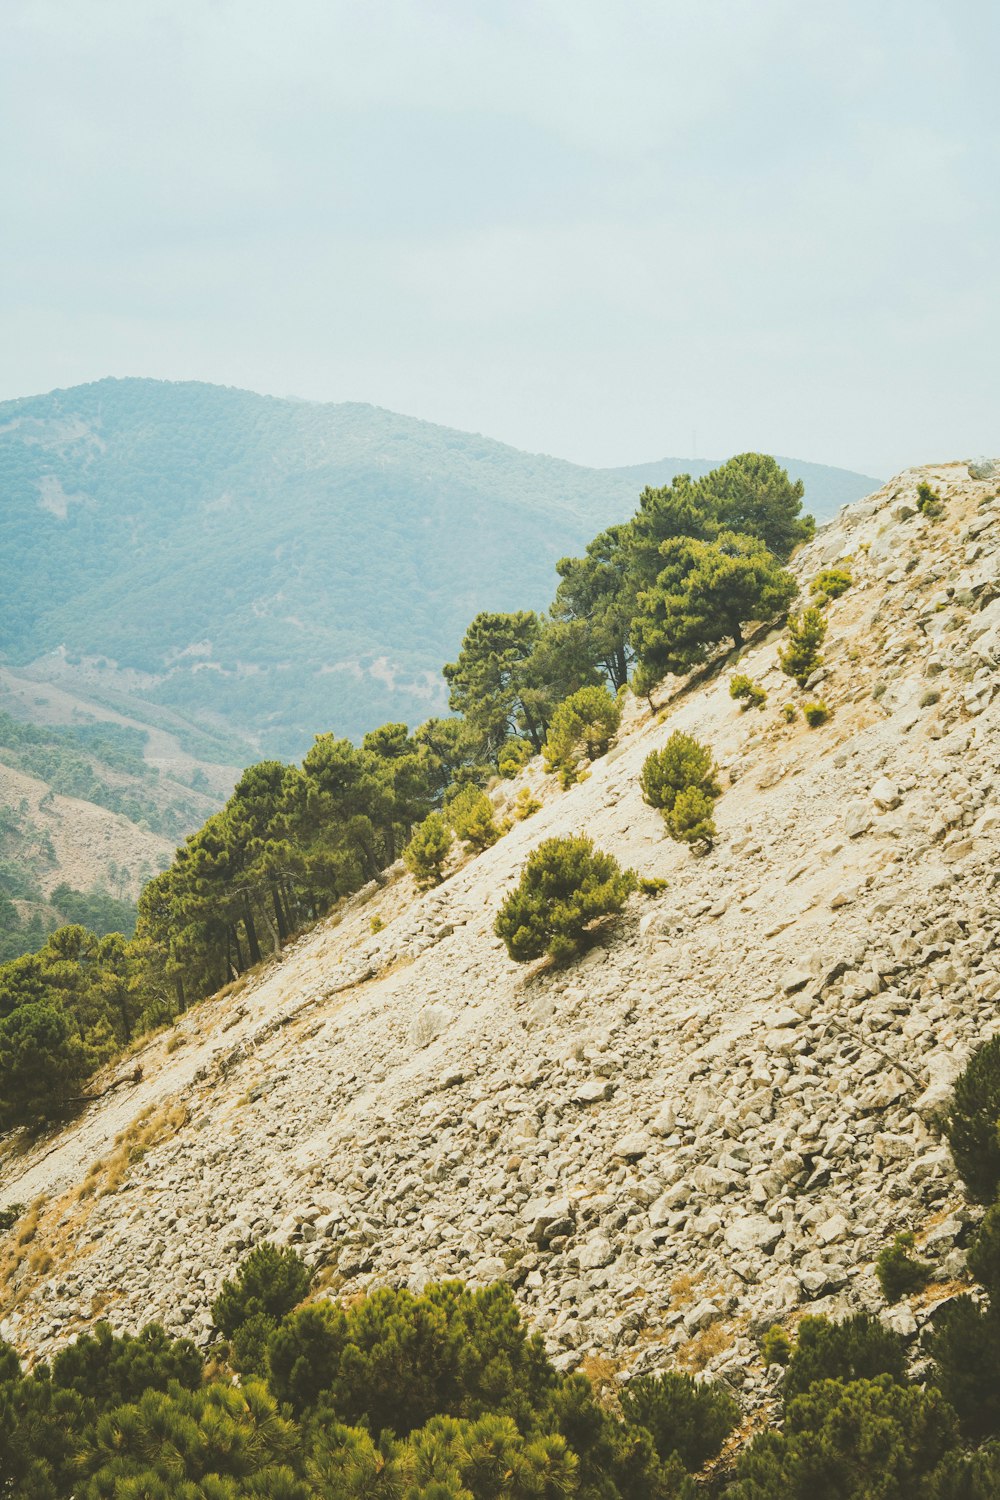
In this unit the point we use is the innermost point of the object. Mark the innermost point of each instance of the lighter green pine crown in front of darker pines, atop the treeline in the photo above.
(705, 593)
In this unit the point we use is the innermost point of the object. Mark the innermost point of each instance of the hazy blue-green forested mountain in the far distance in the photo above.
(256, 571)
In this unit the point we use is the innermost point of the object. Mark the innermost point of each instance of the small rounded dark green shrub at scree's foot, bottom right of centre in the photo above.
(683, 1417)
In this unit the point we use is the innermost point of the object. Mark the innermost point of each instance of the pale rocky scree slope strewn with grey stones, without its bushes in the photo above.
(717, 1118)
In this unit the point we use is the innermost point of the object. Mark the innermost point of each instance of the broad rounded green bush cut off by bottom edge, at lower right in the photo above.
(849, 1442)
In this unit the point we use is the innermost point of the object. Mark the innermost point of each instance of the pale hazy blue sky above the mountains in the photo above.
(605, 232)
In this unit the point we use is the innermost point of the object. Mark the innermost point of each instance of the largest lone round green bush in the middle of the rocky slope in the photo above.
(566, 886)
